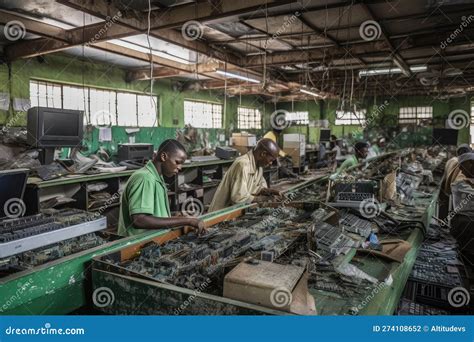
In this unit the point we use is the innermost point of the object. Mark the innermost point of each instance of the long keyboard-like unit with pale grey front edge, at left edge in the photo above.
(27, 233)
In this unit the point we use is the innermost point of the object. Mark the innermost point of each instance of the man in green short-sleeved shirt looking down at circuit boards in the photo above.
(144, 204)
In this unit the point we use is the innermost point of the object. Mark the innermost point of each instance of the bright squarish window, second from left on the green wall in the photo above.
(202, 114)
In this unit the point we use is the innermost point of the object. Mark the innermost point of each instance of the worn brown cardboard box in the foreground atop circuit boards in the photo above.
(281, 287)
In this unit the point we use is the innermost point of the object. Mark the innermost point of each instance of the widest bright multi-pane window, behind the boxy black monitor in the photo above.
(101, 106)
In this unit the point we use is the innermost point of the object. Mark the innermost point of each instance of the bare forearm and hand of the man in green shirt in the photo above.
(145, 221)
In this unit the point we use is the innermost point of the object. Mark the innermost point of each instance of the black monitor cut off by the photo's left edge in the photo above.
(12, 183)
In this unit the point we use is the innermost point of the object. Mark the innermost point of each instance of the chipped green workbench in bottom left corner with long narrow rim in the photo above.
(63, 285)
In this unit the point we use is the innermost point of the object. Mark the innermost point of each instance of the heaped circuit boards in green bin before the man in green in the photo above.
(190, 259)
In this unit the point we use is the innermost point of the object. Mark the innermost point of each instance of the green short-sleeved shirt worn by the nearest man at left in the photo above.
(145, 193)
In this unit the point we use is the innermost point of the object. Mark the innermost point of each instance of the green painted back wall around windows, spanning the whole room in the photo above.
(68, 69)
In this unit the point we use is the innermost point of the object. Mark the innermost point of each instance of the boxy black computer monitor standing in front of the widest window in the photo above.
(49, 128)
